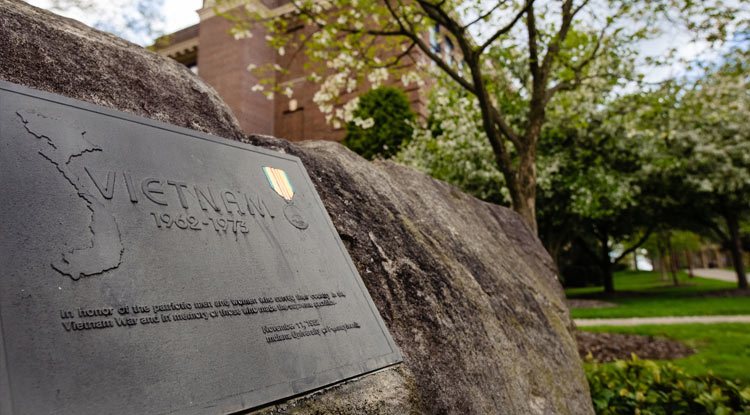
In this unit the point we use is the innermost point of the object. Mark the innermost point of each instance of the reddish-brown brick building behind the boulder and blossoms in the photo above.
(222, 61)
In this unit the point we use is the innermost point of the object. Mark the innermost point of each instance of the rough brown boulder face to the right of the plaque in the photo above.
(467, 291)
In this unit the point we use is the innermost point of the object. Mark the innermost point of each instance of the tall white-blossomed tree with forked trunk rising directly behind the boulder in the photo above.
(511, 57)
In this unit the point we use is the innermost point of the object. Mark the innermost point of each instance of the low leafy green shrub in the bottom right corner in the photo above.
(648, 388)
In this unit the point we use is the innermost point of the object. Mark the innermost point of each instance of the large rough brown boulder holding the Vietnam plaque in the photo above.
(466, 289)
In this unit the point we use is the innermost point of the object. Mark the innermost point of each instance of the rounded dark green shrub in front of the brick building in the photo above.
(391, 115)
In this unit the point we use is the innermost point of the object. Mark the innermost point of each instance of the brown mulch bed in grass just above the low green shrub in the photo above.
(608, 347)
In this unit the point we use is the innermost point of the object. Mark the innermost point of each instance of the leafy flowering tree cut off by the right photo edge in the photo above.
(710, 142)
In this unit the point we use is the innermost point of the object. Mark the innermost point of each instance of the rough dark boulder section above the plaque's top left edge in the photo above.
(49, 52)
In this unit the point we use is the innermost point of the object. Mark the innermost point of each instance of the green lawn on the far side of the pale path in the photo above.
(645, 294)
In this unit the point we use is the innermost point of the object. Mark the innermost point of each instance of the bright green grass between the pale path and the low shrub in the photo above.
(723, 348)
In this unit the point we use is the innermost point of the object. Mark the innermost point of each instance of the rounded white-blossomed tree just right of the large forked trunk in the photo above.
(600, 190)
